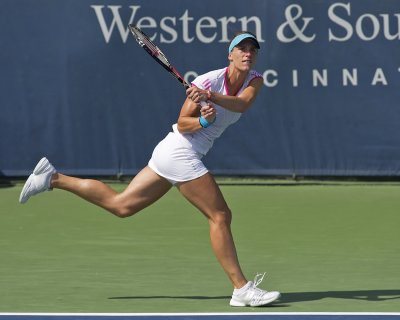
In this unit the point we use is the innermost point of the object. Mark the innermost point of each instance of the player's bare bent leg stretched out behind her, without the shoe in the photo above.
(143, 190)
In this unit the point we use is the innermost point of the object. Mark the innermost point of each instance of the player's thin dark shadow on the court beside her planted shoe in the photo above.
(293, 297)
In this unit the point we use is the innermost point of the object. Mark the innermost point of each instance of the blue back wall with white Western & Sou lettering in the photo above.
(75, 86)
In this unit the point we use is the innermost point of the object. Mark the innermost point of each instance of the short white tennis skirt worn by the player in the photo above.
(175, 160)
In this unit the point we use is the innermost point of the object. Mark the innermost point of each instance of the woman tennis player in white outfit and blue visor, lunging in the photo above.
(176, 161)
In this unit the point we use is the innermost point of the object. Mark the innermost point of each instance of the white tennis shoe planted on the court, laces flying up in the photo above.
(252, 296)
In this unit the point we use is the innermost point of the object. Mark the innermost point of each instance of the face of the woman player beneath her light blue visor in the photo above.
(244, 55)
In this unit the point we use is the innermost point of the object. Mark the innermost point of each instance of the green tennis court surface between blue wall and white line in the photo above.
(327, 247)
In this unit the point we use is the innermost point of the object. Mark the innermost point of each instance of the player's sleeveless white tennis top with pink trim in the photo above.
(202, 140)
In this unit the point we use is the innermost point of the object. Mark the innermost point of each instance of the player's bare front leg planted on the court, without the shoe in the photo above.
(205, 195)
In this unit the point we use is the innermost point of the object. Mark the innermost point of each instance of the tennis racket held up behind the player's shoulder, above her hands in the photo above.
(144, 41)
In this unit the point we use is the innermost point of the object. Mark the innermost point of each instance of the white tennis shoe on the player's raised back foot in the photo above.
(38, 181)
